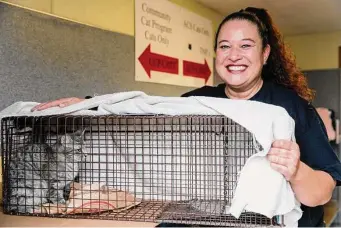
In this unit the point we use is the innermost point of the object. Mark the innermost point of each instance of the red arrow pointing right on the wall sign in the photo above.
(196, 70)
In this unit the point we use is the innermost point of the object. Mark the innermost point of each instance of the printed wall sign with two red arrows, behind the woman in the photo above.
(172, 45)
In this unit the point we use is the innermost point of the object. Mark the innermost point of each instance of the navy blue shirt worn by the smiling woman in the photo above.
(310, 133)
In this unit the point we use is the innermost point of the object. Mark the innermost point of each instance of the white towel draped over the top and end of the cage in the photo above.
(256, 190)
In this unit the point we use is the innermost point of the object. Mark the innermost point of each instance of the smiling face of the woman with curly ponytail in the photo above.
(240, 55)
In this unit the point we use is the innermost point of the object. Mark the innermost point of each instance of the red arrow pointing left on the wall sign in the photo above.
(156, 62)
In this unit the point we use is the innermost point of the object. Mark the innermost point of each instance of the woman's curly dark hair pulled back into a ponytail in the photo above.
(281, 66)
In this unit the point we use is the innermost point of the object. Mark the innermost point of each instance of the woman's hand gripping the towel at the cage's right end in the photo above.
(284, 157)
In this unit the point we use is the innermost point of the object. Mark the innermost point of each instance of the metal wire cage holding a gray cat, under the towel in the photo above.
(178, 169)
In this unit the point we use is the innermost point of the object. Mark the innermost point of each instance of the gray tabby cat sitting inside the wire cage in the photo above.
(38, 173)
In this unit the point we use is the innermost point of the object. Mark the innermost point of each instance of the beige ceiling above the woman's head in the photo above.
(293, 17)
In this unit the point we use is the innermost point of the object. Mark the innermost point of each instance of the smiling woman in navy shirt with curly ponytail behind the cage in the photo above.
(254, 64)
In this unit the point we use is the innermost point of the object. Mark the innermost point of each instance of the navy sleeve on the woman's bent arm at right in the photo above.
(316, 151)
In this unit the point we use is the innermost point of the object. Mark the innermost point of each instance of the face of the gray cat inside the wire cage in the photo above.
(73, 144)
